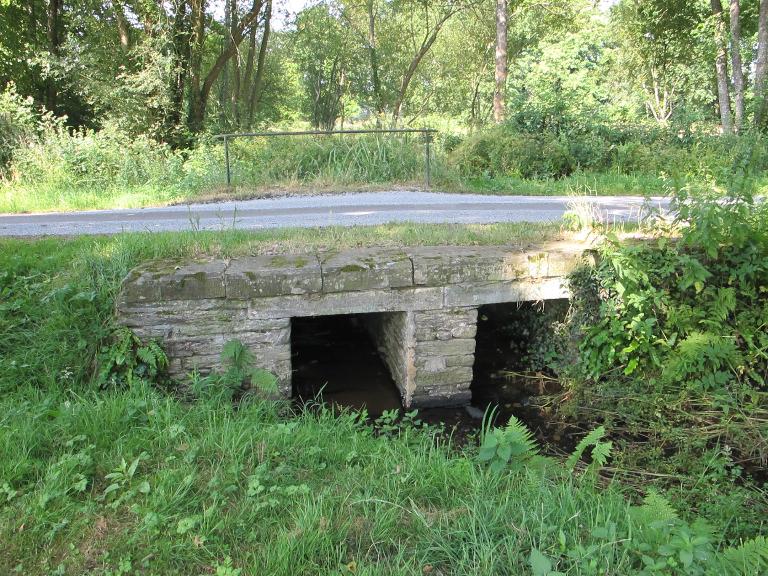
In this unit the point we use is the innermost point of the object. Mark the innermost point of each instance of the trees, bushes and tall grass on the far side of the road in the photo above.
(581, 98)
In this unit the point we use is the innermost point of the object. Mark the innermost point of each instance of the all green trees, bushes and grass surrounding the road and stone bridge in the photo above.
(109, 467)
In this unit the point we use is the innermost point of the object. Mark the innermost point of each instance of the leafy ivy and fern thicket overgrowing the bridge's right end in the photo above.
(672, 350)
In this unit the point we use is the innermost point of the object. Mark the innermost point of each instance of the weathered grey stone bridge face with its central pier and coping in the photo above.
(418, 304)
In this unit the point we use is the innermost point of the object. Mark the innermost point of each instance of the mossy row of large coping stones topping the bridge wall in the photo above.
(356, 270)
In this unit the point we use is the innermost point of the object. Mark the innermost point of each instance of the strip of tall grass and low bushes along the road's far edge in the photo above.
(109, 169)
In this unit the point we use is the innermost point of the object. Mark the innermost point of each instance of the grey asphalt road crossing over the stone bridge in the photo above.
(324, 210)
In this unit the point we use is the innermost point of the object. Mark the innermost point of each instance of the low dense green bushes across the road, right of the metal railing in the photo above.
(506, 151)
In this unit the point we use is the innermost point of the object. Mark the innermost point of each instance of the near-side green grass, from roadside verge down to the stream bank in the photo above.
(136, 480)
